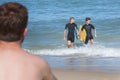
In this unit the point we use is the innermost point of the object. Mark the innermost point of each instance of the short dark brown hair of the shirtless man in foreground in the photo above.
(13, 21)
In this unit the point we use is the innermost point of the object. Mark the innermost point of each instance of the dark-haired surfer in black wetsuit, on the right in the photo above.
(88, 27)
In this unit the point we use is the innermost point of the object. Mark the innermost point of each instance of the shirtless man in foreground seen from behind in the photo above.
(15, 63)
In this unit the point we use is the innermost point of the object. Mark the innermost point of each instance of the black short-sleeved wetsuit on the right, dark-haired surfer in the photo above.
(88, 29)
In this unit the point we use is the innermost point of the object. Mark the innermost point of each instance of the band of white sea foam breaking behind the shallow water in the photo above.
(99, 51)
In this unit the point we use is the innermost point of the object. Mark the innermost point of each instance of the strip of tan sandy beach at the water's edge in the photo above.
(63, 74)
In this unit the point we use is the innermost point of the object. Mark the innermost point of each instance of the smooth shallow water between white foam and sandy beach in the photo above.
(77, 62)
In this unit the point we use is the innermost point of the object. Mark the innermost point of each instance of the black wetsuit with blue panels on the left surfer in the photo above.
(71, 30)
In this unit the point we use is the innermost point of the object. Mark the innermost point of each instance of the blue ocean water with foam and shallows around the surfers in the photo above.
(47, 19)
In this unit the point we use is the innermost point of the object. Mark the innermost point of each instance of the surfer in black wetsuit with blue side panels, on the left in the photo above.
(72, 28)
